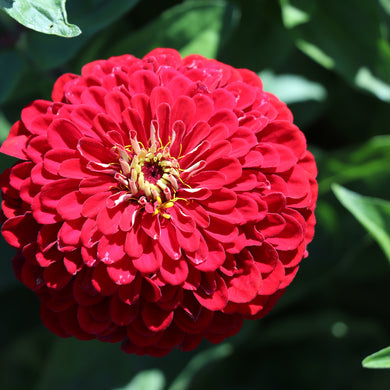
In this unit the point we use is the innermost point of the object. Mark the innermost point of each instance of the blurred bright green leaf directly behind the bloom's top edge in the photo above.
(192, 27)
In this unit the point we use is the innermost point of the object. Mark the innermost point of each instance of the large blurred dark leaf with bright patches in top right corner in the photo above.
(330, 32)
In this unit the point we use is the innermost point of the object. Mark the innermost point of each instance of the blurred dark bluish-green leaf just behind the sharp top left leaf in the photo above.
(93, 15)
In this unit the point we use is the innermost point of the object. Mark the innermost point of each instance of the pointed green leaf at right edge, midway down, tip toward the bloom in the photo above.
(372, 213)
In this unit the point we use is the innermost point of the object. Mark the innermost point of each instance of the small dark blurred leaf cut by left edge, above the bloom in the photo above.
(11, 65)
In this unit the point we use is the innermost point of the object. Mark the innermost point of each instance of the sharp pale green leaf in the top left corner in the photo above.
(47, 16)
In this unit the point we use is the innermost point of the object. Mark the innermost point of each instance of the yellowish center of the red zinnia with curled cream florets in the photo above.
(150, 175)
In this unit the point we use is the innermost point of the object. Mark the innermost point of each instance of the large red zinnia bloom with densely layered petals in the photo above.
(158, 201)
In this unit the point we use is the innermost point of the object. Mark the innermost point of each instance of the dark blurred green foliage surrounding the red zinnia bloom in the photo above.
(330, 61)
